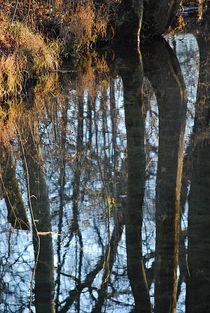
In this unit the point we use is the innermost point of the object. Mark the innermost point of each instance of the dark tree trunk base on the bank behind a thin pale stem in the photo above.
(151, 16)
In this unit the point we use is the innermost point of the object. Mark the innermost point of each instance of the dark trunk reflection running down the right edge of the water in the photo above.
(198, 282)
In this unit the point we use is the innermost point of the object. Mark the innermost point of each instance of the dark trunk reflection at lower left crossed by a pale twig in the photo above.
(42, 235)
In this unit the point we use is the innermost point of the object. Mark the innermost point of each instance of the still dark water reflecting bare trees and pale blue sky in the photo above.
(105, 185)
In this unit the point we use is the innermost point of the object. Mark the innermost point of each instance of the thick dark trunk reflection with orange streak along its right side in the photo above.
(164, 73)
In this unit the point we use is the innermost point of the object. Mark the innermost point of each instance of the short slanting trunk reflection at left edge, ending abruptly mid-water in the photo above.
(12, 195)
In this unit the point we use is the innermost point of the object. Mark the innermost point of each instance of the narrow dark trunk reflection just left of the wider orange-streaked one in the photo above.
(132, 75)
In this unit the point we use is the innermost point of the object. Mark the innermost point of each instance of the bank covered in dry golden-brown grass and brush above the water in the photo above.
(35, 37)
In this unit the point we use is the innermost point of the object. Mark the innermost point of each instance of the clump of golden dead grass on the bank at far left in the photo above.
(24, 54)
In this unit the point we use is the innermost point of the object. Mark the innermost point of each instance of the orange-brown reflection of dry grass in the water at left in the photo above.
(19, 114)
